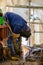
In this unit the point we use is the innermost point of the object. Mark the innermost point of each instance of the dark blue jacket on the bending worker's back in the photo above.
(16, 22)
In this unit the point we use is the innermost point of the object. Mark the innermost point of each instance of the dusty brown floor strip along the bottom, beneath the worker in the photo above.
(18, 63)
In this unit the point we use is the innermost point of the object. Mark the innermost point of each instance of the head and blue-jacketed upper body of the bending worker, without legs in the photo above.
(18, 25)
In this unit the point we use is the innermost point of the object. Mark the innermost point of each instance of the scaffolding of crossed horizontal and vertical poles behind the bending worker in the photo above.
(28, 7)
